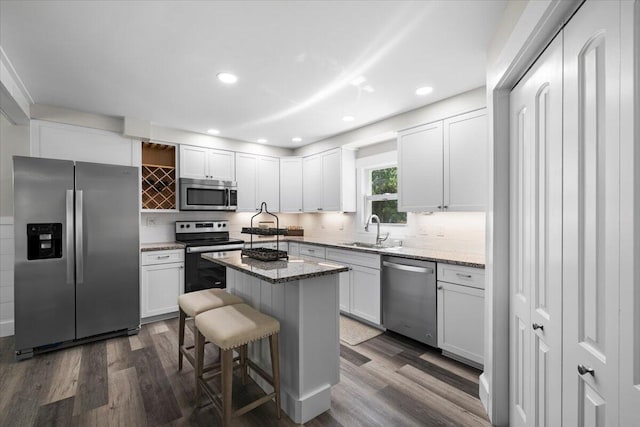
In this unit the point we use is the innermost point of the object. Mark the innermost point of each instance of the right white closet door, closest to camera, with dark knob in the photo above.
(591, 215)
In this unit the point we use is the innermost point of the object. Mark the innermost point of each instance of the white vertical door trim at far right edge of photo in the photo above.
(630, 221)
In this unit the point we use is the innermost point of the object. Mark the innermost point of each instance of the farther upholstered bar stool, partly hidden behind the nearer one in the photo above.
(193, 303)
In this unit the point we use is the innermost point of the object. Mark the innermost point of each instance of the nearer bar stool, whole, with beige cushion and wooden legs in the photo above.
(232, 328)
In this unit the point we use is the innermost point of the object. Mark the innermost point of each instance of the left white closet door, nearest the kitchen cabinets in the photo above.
(536, 218)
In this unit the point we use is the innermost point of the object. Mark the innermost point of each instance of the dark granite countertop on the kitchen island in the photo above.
(275, 271)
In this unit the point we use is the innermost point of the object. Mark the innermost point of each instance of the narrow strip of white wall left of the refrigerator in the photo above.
(14, 140)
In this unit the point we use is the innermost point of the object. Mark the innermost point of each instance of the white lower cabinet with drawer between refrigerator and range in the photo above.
(162, 282)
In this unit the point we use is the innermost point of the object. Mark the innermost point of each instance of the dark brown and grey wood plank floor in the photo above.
(134, 381)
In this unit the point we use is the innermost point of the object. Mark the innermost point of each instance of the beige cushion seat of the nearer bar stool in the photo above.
(235, 325)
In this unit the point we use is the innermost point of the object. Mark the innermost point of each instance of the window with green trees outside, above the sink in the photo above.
(383, 197)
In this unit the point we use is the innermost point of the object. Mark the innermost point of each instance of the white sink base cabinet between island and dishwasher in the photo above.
(360, 286)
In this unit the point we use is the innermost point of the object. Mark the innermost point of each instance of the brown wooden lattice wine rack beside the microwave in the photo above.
(158, 176)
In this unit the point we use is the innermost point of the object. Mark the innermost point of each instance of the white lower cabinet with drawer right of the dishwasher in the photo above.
(461, 312)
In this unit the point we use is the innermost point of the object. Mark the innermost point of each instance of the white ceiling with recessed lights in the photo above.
(158, 60)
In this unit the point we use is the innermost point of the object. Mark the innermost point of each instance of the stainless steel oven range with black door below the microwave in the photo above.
(200, 237)
